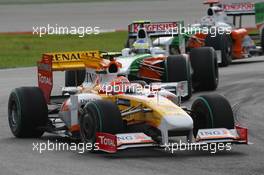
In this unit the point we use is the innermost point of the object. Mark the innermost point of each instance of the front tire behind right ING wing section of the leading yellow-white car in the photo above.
(212, 111)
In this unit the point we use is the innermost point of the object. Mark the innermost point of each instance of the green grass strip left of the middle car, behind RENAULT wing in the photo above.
(25, 50)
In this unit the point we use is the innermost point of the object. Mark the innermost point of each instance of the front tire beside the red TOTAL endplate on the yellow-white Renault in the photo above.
(99, 116)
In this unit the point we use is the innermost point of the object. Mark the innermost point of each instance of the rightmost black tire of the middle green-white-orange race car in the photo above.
(205, 69)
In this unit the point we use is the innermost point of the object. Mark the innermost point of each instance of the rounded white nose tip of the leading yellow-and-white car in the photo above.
(177, 123)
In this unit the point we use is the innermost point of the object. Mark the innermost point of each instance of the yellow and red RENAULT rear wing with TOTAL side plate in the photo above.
(65, 61)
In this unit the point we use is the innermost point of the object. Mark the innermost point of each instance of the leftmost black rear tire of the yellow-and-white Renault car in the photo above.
(27, 111)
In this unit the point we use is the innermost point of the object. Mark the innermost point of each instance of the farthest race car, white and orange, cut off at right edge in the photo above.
(229, 39)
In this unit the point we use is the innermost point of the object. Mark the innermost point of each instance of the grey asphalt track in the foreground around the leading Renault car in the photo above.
(241, 83)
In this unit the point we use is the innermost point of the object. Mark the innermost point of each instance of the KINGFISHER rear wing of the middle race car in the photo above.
(157, 29)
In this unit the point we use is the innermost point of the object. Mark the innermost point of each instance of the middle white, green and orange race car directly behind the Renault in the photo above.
(148, 56)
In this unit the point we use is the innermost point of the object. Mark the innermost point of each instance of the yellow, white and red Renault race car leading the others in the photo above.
(118, 118)
